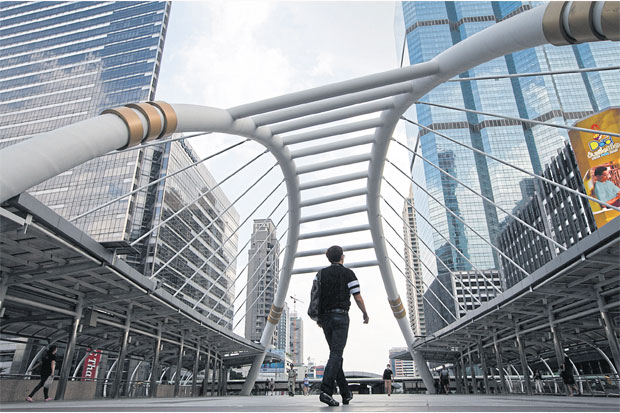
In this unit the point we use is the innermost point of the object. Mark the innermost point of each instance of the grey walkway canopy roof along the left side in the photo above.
(55, 269)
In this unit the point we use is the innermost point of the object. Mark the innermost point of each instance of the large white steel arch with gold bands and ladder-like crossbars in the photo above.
(276, 124)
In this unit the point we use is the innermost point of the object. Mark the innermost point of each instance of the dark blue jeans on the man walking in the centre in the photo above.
(336, 329)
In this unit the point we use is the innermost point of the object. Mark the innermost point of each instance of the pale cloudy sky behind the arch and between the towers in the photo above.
(223, 54)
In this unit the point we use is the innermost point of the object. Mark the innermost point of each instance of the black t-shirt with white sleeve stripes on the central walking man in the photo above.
(337, 284)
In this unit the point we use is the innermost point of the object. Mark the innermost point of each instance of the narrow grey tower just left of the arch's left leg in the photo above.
(262, 283)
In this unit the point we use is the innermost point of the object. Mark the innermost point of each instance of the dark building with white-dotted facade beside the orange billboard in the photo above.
(562, 216)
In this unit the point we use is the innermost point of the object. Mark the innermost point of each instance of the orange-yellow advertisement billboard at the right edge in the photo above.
(598, 158)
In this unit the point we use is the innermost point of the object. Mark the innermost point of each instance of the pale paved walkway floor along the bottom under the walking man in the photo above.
(371, 403)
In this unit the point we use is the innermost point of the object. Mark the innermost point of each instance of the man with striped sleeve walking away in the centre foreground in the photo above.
(337, 284)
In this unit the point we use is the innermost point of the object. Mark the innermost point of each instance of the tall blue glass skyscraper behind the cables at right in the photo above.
(429, 29)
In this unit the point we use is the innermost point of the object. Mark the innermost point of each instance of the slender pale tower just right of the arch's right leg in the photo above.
(413, 269)
